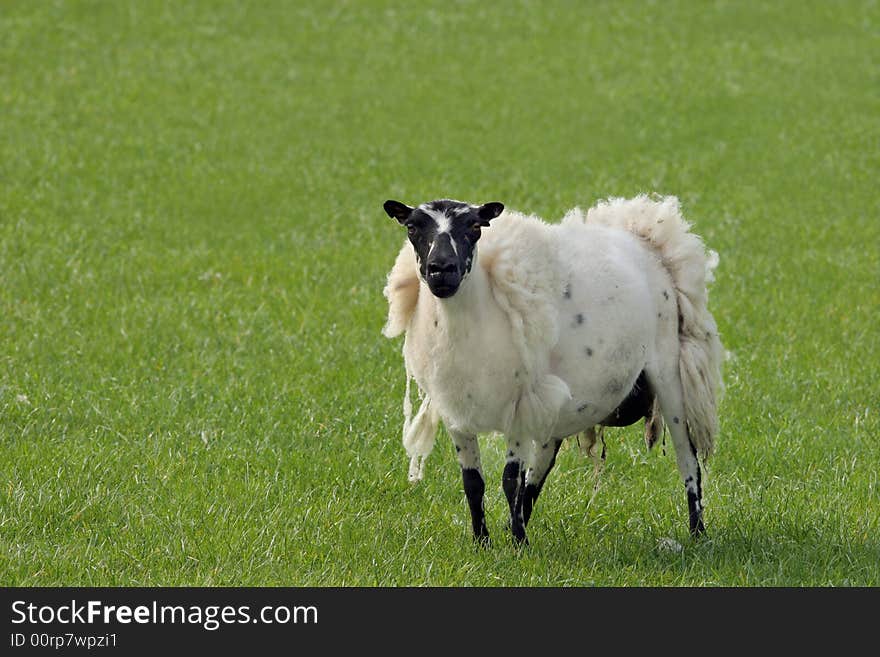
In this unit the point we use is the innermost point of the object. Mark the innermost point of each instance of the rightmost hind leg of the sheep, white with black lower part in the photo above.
(672, 407)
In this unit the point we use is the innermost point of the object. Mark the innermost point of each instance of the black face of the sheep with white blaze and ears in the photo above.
(444, 234)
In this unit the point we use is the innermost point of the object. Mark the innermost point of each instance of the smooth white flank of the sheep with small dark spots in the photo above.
(608, 268)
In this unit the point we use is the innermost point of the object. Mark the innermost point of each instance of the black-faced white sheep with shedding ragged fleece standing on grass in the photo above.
(550, 330)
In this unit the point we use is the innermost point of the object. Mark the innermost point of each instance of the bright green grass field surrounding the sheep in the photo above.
(194, 389)
